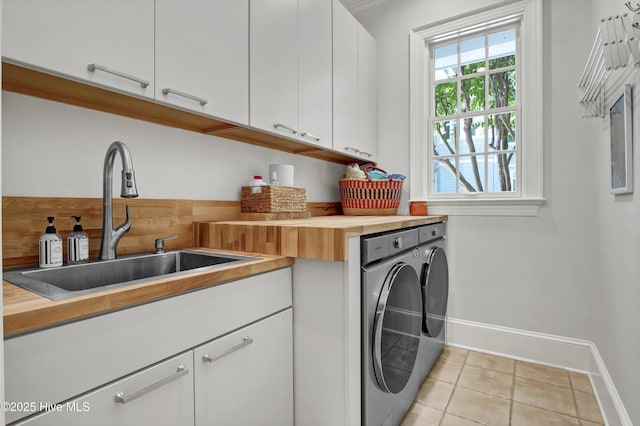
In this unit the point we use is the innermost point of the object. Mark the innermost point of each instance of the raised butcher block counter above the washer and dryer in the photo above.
(319, 237)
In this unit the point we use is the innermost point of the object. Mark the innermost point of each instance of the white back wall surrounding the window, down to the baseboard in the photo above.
(526, 273)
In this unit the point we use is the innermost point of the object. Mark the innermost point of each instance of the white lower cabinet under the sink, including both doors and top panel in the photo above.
(222, 355)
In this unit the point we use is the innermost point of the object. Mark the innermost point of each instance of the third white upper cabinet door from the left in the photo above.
(274, 66)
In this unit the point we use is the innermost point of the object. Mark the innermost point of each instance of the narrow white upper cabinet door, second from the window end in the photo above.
(345, 80)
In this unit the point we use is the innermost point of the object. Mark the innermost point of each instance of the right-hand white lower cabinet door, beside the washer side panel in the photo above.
(246, 377)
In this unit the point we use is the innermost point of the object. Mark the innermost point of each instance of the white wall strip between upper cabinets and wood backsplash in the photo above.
(57, 150)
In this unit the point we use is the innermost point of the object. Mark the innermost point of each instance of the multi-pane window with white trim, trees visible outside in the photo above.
(476, 97)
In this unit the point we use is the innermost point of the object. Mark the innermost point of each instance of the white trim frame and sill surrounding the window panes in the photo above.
(531, 69)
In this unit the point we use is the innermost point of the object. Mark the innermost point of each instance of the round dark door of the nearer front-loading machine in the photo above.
(397, 325)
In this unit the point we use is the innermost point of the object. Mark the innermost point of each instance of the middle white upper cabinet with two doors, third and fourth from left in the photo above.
(290, 69)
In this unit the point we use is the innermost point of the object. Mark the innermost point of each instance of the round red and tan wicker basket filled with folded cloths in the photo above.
(370, 197)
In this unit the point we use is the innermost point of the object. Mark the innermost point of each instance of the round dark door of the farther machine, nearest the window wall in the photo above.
(435, 291)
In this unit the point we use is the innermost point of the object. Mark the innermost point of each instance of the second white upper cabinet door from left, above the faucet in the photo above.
(202, 56)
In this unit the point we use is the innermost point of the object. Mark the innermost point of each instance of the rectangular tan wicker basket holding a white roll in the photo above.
(274, 199)
